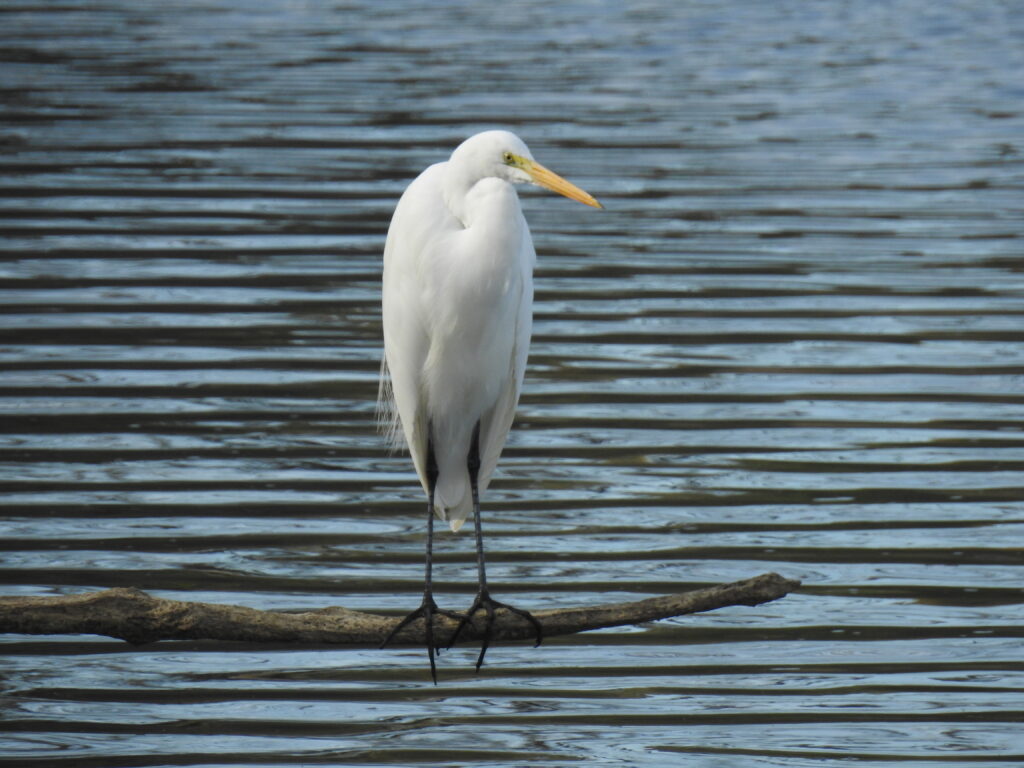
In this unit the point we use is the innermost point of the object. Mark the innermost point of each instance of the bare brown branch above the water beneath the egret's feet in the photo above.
(138, 618)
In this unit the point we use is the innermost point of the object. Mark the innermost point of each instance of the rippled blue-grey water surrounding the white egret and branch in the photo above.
(793, 343)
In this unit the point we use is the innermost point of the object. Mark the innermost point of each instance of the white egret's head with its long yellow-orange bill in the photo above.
(504, 155)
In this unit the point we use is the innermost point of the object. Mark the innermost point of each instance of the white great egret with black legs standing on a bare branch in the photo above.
(457, 300)
